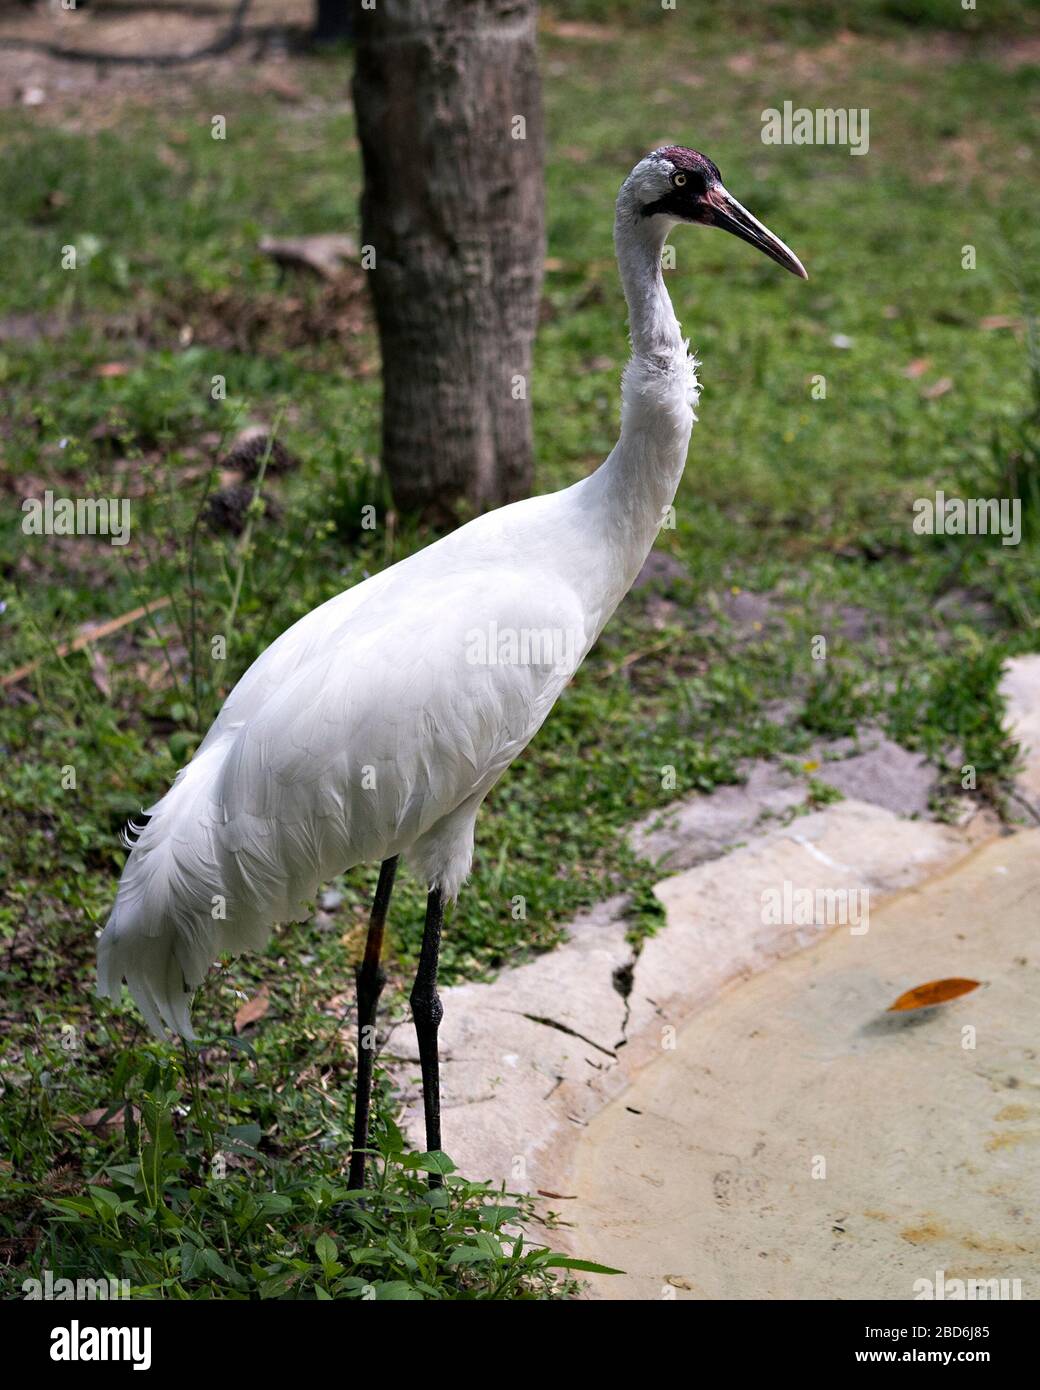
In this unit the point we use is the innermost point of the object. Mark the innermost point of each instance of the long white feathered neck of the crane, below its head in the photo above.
(631, 494)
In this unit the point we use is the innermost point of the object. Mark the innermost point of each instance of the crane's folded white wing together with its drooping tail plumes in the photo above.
(366, 725)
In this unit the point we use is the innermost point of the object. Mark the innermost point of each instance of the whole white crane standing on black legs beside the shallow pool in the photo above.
(380, 722)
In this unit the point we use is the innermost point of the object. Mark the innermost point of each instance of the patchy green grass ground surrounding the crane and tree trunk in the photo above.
(807, 501)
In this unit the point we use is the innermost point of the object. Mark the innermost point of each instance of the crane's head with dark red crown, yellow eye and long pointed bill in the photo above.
(682, 186)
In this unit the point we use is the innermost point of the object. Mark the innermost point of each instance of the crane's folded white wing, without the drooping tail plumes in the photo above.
(409, 714)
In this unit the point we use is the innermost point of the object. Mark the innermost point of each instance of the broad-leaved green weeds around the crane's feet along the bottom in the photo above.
(183, 1203)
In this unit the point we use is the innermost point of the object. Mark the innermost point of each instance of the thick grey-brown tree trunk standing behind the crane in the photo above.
(450, 119)
